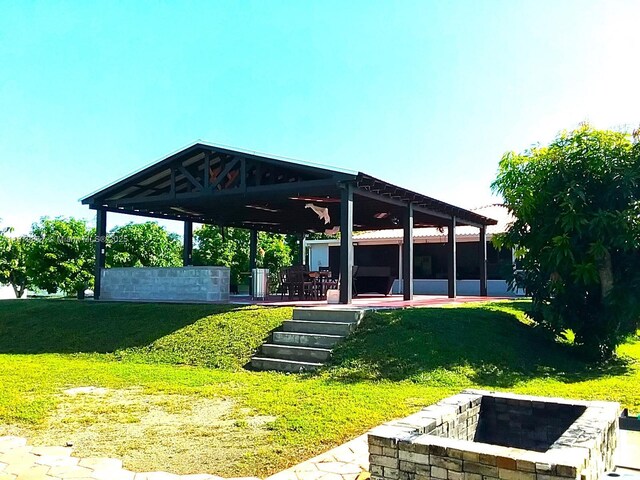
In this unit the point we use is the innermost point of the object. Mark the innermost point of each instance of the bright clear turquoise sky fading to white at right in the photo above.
(426, 94)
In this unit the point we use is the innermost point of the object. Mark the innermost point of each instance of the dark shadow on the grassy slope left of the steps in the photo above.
(71, 326)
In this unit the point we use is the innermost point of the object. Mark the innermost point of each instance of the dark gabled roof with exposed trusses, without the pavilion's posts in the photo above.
(207, 184)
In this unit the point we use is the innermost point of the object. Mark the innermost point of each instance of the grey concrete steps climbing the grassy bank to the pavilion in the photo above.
(305, 342)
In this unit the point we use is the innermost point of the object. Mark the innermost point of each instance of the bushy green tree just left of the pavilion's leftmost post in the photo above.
(61, 255)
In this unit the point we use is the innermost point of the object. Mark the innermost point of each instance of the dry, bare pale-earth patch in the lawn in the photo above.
(175, 433)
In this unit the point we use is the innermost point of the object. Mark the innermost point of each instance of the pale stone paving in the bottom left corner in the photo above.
(18, 461)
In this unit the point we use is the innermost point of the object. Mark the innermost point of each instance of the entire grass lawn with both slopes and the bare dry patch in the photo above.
(173, 394)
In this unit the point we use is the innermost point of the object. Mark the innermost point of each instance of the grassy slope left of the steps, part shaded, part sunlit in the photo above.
(221, 336)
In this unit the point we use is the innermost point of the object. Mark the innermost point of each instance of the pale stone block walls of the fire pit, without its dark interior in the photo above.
(437, 443)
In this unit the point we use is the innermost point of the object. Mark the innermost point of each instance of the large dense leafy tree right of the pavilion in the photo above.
(577, 233)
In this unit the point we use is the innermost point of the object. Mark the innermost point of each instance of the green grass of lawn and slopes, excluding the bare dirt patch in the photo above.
(398, 361)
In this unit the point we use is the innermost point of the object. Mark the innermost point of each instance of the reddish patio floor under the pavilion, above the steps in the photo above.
(366, 301)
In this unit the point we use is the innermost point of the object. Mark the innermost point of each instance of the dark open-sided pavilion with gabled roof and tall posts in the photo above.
(211, 185)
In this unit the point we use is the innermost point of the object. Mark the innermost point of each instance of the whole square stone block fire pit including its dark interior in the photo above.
(481, 435)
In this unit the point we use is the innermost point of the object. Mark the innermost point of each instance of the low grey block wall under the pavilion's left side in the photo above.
(181, 284)
